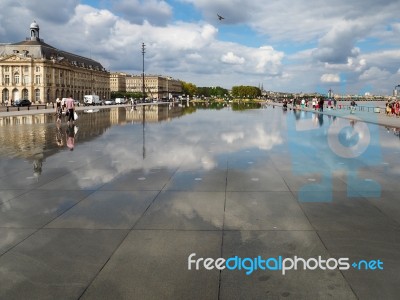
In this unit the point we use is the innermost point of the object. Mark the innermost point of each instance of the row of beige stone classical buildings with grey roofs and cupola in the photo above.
(34, 70)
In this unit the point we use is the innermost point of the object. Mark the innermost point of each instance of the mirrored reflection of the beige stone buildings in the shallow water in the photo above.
(34, 137)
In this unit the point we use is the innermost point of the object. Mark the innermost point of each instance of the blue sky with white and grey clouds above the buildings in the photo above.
(349, 46)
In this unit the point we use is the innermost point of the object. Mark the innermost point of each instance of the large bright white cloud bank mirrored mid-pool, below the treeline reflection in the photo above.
(181, 143)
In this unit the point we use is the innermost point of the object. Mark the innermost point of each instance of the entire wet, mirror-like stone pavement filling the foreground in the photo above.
(120, 216)
